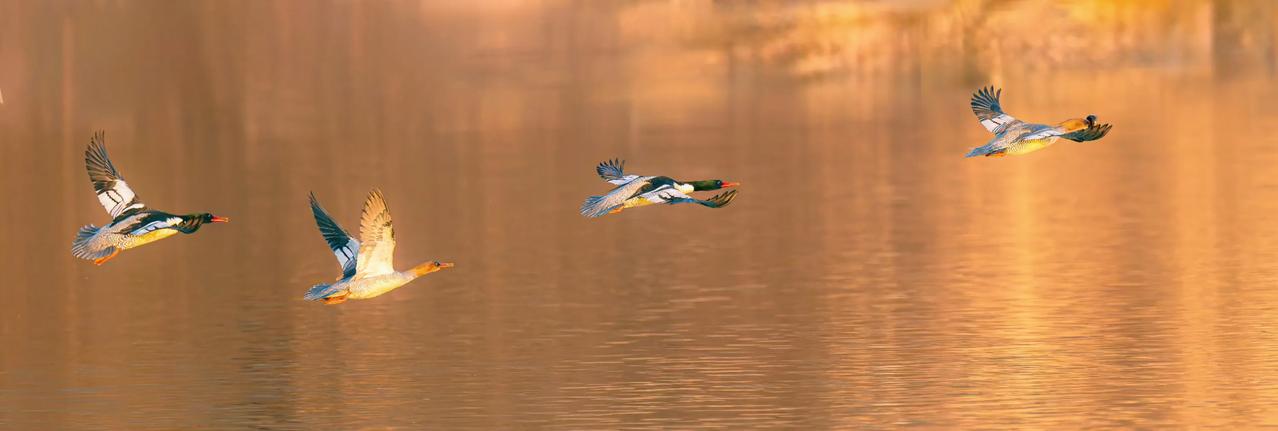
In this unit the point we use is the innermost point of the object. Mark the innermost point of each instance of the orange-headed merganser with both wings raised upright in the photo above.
(366, 269)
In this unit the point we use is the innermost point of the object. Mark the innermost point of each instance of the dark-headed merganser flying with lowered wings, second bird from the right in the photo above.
(635, 191)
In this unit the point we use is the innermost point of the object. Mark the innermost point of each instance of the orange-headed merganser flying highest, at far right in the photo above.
(1017, 137)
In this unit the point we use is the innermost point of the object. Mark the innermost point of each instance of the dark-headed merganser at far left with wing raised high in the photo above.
(132, 223)
